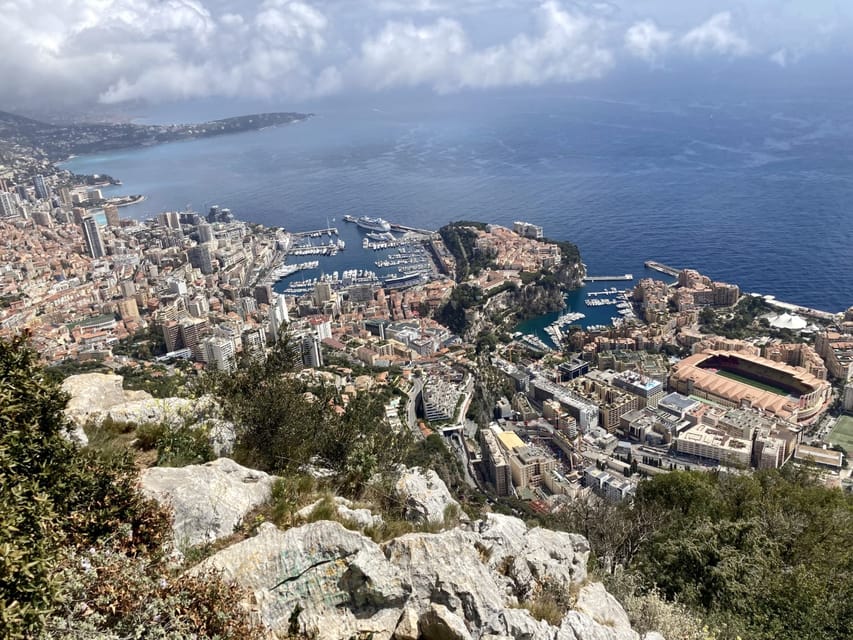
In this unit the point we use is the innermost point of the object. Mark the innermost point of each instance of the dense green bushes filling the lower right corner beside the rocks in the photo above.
(762, 556)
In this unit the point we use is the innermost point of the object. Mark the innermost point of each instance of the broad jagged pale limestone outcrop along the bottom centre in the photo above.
(466, 583)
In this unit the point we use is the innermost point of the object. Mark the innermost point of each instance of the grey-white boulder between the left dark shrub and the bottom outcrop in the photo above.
(208, 500)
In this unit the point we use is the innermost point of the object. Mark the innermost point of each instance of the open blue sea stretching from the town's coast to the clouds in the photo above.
(757, 192)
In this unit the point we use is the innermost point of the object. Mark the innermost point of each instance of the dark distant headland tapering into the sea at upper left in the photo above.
(25, 136)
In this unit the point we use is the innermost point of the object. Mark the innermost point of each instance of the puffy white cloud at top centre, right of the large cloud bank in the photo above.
(565, 48)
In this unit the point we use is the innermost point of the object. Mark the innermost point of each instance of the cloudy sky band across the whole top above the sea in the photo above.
(83, 52)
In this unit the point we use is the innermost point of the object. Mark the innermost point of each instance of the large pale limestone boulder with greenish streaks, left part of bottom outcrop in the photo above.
(340, 580)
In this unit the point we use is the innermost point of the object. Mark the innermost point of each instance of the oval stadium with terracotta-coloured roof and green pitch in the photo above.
(737, 379)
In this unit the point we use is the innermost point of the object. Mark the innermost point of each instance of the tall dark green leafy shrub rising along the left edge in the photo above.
(56, 499)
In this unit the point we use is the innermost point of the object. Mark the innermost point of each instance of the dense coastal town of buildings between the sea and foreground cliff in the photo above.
(694, 375)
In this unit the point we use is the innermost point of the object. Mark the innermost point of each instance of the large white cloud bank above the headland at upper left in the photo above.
(158, 50)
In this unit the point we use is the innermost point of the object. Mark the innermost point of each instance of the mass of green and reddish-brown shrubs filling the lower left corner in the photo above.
(81, 550)
